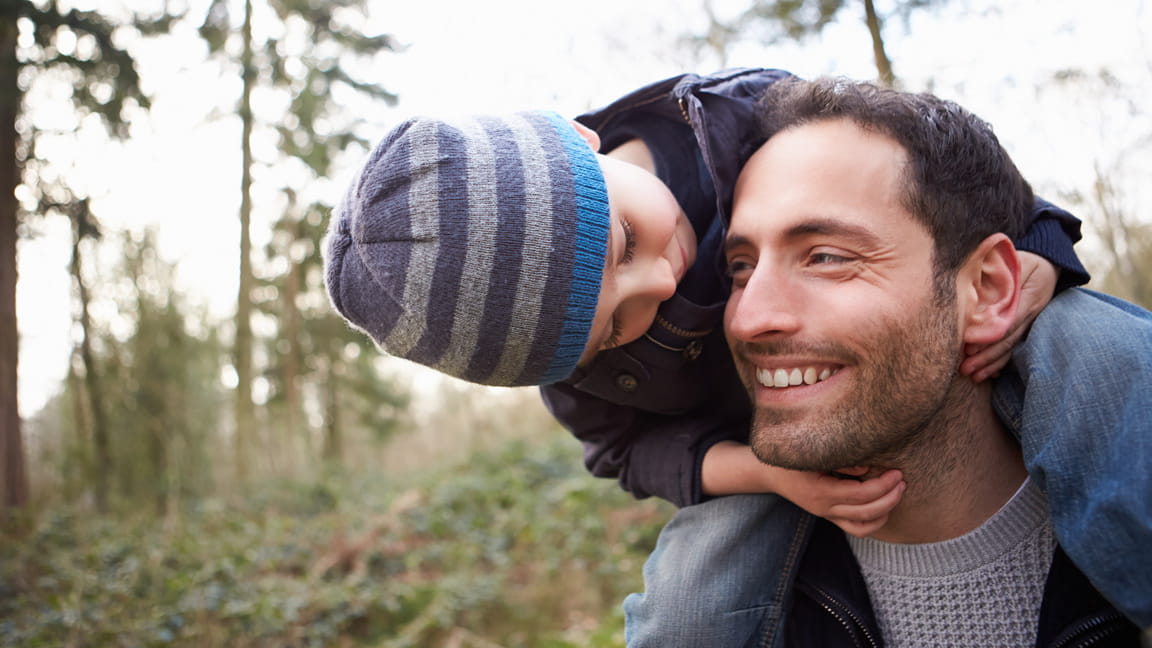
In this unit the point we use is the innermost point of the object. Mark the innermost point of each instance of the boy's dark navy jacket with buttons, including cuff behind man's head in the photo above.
(649, 411)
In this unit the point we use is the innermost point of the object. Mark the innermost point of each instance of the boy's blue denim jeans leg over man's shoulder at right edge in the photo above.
(1079, 400)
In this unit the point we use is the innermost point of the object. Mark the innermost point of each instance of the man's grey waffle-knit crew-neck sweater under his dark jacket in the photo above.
(980, 590)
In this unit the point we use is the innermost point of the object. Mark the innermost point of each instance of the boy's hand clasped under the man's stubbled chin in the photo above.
(859, 508)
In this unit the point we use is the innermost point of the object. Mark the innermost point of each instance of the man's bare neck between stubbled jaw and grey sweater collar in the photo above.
(962, 472)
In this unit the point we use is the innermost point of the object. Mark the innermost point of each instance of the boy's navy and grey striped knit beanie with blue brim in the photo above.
(475, 247)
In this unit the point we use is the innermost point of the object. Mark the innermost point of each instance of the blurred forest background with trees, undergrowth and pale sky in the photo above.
(196, 451)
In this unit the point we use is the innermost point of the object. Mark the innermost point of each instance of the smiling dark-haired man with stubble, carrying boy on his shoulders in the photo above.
(870, 243)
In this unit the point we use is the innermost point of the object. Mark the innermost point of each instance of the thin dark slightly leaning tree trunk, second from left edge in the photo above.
(102, 465)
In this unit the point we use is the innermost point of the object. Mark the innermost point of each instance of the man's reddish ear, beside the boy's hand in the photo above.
(989, 285)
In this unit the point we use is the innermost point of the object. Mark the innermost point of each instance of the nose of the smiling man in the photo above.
(766, 306)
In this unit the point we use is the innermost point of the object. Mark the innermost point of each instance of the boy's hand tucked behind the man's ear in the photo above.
(1039, 282)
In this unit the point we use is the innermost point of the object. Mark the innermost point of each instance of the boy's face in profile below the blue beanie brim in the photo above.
(651, 246)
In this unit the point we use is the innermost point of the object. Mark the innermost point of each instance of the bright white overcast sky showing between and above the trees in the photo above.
(181, 175)
